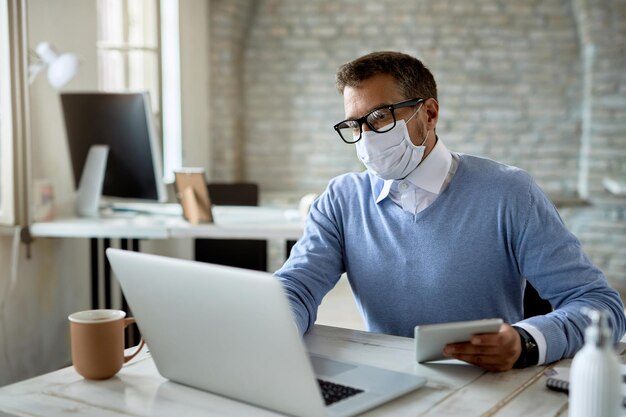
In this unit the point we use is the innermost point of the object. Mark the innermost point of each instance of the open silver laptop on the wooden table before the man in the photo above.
(231, 332)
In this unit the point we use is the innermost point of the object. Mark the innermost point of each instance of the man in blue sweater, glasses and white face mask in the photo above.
(426, 235)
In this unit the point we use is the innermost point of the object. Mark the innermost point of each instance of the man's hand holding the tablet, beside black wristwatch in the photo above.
(491, 351)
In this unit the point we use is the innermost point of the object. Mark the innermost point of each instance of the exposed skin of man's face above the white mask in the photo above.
(381, 90)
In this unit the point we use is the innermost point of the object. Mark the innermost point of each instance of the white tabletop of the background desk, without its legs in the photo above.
(231, 222)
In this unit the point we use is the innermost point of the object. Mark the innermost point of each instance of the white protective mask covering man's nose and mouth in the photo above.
(390, 155)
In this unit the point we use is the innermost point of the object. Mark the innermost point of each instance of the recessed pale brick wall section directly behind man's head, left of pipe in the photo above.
(509, 77)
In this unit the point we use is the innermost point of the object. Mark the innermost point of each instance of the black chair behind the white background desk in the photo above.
(249, 254)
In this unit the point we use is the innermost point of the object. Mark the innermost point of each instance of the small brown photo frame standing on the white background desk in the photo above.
(191, 189)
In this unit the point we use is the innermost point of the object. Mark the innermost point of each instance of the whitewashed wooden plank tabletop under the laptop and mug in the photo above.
(453, 388)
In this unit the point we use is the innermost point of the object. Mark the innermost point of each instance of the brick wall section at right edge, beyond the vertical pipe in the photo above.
(602, 226)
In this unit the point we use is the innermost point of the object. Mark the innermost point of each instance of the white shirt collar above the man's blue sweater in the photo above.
(429, 175)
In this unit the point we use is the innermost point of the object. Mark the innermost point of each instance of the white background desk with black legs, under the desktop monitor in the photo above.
(230, 222)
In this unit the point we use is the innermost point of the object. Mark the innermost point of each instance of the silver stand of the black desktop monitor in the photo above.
(91, 180)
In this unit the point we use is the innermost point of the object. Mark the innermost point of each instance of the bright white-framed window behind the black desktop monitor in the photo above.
(129, 57)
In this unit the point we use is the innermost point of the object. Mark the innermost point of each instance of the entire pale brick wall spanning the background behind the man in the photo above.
(511, 77)
